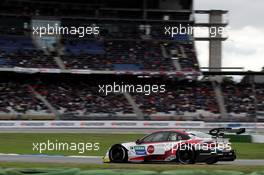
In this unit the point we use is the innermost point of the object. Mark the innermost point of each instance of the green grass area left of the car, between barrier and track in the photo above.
(22, 143)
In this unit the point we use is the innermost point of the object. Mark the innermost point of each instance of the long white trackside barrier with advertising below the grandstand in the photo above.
(125, 124)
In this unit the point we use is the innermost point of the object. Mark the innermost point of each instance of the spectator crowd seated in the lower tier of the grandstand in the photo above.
(85, 99)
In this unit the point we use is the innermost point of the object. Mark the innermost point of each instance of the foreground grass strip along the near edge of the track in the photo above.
(151, 167)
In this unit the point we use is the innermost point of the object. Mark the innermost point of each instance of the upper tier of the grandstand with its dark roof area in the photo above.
(135, 43)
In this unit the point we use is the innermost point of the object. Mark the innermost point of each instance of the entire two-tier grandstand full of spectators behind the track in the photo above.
(57, 76)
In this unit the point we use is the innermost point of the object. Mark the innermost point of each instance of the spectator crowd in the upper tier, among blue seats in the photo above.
(133, 55)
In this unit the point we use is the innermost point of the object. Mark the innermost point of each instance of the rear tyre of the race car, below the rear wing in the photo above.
(185, 155)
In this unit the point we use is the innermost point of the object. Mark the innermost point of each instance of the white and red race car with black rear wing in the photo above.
(186, 147)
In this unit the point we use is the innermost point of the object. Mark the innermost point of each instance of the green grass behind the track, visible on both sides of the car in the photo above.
(22, 143)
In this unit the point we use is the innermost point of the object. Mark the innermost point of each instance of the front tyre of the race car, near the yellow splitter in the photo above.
(118, 154)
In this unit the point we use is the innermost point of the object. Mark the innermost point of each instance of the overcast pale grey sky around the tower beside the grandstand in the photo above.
(245, 46)
